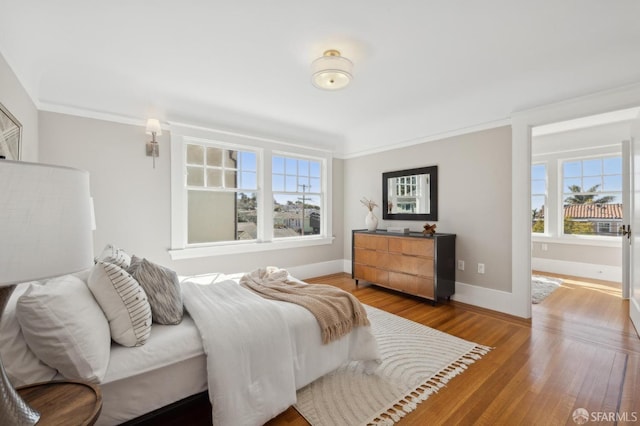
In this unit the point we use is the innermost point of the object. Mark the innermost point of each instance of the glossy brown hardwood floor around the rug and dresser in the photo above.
(579, 351)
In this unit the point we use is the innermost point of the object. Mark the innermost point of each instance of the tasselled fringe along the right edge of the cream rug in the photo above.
(396, 411)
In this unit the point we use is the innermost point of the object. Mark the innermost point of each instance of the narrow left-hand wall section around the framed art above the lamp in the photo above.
(17, 101)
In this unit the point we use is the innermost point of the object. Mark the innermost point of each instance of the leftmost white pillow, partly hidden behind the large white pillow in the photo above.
(22, 366)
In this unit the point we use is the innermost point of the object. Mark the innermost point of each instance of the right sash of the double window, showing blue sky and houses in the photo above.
(297, 196)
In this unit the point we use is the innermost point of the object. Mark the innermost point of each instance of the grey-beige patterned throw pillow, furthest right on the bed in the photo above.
(163, 290)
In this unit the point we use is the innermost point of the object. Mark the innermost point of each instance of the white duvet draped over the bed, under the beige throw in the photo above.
(260, 351)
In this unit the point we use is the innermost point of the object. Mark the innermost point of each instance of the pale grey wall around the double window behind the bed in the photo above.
(132, 200)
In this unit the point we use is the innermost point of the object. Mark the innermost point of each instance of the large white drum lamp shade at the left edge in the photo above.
(45, 221)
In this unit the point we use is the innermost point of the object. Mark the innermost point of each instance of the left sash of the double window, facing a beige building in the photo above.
(222, 194)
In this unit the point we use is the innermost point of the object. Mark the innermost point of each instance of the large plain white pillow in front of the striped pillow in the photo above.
(64, 326)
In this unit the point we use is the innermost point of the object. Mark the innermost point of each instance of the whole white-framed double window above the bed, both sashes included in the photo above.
(233, 193)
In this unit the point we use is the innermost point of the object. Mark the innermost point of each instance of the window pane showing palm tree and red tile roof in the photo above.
(592, 194)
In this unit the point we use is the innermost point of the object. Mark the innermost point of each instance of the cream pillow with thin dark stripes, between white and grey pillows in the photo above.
(124, 303)
